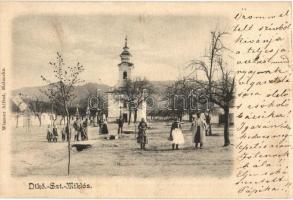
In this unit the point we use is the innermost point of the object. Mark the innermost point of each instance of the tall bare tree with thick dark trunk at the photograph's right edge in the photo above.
(219, 91)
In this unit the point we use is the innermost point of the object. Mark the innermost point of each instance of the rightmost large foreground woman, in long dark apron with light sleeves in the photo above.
(199, 132)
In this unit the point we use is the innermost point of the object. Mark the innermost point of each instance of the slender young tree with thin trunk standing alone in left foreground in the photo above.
(61, 91)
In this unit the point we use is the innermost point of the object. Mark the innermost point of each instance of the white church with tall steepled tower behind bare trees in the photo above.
(116, 106)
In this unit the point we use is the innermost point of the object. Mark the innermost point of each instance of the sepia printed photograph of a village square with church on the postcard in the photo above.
(124, 95)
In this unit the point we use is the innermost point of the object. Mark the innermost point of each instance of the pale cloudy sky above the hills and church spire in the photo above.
(161, 46)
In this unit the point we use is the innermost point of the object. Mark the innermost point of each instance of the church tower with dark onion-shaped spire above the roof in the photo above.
(125, 66)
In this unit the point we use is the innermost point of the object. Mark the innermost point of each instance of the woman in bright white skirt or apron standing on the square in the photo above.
(176, 135)
